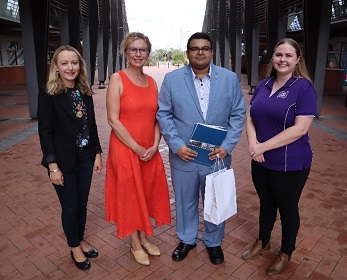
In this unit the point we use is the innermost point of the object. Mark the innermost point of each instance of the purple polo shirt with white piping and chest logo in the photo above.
(272, 115)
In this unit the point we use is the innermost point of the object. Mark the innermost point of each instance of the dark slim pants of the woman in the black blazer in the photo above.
(73, 197)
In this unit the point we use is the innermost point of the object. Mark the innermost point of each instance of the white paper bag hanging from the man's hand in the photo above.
(220, 196)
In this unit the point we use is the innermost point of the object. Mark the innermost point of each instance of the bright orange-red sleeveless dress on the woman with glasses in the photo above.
(135, 190)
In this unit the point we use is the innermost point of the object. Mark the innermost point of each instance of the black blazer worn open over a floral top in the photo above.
(58, 129)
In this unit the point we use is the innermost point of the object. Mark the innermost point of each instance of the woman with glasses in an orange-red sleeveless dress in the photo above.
(136, 187)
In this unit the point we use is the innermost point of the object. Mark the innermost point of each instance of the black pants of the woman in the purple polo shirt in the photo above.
(282, 191)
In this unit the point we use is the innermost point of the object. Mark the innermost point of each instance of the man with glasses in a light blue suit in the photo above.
(200, 92)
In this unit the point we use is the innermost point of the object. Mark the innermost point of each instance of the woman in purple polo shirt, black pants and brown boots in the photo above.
(282, 109)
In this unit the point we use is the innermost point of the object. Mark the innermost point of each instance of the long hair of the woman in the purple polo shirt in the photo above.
(300, 68)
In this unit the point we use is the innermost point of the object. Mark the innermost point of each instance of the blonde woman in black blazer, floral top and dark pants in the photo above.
(70, 144)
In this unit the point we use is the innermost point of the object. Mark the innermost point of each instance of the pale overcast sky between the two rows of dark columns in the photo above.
(168, 24)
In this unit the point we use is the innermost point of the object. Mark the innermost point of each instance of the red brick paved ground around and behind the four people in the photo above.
(33, 246)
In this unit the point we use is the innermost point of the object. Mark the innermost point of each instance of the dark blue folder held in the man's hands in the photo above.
(204, 139)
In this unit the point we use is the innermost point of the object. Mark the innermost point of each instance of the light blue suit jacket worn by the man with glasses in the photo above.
(179, 109)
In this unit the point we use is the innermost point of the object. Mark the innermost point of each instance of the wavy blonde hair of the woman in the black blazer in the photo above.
(55, 84)
